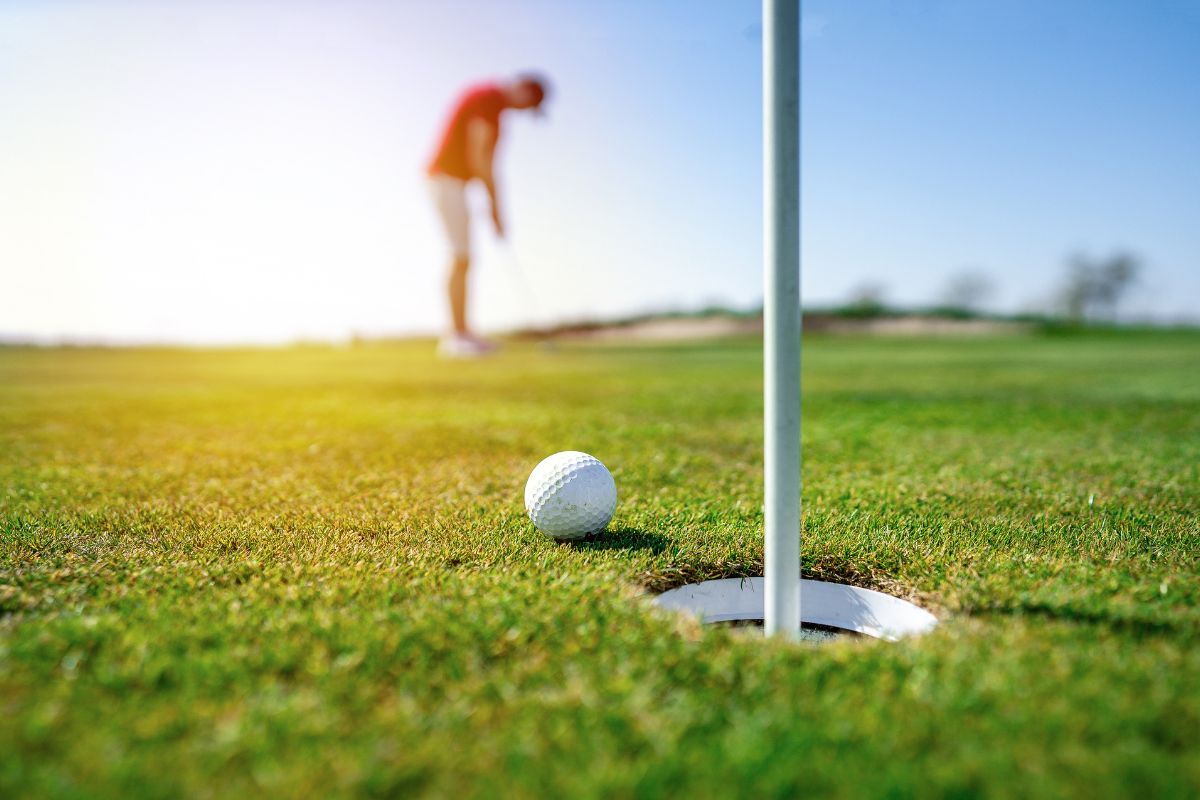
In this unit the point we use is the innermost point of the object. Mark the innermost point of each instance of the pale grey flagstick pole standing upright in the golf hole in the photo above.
(782, 314)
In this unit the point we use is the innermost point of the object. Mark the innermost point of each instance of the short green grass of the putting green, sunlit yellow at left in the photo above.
(308, 573)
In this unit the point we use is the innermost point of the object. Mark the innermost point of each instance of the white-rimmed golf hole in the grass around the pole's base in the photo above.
(827, 610)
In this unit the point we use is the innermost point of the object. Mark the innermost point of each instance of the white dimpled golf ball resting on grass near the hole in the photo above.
(571, 495)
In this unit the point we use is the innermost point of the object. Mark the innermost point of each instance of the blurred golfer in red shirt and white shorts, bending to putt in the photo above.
(467, 153)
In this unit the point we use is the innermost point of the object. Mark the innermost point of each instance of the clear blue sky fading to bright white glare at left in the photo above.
(231, 171)
